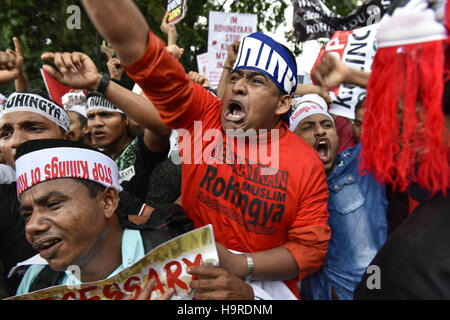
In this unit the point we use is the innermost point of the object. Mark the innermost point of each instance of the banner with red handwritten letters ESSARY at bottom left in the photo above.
(166, 264)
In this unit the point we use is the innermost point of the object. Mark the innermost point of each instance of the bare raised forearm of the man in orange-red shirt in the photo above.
(121, 24)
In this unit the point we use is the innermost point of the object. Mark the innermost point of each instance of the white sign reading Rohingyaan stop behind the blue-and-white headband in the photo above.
(224, 29)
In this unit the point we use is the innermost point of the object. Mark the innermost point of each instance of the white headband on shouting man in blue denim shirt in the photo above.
(306, 106)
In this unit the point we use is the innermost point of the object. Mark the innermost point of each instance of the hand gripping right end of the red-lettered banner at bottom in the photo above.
(218, 284)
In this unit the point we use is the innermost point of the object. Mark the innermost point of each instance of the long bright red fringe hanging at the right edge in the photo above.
(403, 139)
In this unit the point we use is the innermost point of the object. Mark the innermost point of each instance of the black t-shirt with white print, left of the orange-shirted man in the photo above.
(136, 163)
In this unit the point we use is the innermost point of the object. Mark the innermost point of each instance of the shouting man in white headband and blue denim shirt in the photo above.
(357, 206)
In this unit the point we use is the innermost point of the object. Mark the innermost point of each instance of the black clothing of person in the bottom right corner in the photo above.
(414, 263)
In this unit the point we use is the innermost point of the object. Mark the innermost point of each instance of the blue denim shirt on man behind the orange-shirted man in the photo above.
(357, 206)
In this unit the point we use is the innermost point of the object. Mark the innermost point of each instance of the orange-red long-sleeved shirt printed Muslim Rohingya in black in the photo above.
(249, 211)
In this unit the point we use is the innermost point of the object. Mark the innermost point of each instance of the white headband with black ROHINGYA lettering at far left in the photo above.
(37, 104)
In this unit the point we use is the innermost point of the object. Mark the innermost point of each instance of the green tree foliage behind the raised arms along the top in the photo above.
(41, 26)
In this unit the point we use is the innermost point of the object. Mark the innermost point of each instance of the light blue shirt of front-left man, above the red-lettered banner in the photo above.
(132, 251)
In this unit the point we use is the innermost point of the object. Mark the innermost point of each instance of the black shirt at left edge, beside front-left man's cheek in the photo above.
(14, 247)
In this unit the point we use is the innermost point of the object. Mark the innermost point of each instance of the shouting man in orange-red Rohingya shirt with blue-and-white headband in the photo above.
(273, 210)
